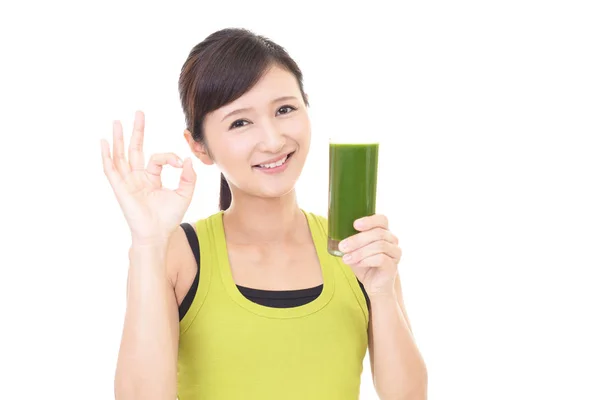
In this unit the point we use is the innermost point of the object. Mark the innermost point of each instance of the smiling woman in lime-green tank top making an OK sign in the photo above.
(247, 303)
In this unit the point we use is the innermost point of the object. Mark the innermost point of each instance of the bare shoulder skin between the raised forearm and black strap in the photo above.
(181, 263)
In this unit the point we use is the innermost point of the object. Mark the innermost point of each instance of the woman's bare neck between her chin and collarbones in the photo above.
(262, 220)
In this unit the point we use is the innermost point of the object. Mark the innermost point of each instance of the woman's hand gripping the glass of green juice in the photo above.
(373, 254)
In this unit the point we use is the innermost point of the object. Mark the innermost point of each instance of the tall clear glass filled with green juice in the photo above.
(352, 188)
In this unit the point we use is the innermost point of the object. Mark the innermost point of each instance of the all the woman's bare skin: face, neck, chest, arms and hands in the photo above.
(267, 236)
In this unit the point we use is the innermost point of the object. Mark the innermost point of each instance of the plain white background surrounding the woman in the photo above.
(488, 114)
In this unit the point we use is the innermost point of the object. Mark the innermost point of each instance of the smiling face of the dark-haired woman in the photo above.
(250, 138)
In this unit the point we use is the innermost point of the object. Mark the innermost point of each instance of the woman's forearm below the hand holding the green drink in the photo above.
(399, 372)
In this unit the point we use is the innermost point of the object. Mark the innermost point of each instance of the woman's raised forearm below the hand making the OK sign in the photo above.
(147, 363)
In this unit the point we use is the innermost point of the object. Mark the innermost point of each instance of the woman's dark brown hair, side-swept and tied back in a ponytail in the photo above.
(219, 70)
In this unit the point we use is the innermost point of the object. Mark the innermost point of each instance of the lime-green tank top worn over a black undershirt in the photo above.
(232, 348)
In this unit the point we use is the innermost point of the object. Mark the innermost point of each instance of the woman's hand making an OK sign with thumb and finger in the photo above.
(152, 212)
